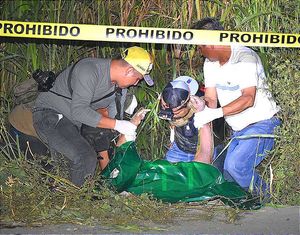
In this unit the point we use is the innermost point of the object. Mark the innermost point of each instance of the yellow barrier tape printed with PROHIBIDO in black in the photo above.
(144, 35)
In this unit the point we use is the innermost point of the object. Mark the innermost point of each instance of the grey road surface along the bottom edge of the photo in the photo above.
(267, 220)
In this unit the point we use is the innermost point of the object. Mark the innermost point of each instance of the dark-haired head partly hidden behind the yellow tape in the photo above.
(212, 52)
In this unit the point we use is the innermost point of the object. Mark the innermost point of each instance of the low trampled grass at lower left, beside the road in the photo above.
(30, 196)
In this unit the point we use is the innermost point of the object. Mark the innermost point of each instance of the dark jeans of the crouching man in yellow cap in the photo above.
(62, 136)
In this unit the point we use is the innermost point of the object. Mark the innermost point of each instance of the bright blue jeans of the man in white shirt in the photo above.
(243, 155)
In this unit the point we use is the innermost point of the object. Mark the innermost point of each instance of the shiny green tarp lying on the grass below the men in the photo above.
(169, 182)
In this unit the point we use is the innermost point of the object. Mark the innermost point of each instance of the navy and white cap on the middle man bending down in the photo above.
(177, 92)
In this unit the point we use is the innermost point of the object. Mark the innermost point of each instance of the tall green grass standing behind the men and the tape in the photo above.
(20, 57)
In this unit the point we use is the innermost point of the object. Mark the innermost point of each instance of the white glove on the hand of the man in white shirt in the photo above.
(206, 116)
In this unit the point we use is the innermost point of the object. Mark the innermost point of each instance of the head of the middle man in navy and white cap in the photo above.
(175, 97)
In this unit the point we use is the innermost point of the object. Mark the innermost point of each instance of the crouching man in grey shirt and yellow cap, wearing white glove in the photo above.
(84, 95)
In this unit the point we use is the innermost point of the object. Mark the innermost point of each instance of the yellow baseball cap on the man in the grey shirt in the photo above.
(140, 60)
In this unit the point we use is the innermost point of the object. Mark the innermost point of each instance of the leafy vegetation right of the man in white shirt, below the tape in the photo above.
(284, 161)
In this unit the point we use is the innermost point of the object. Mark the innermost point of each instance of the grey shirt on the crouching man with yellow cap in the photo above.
(90, 81)
